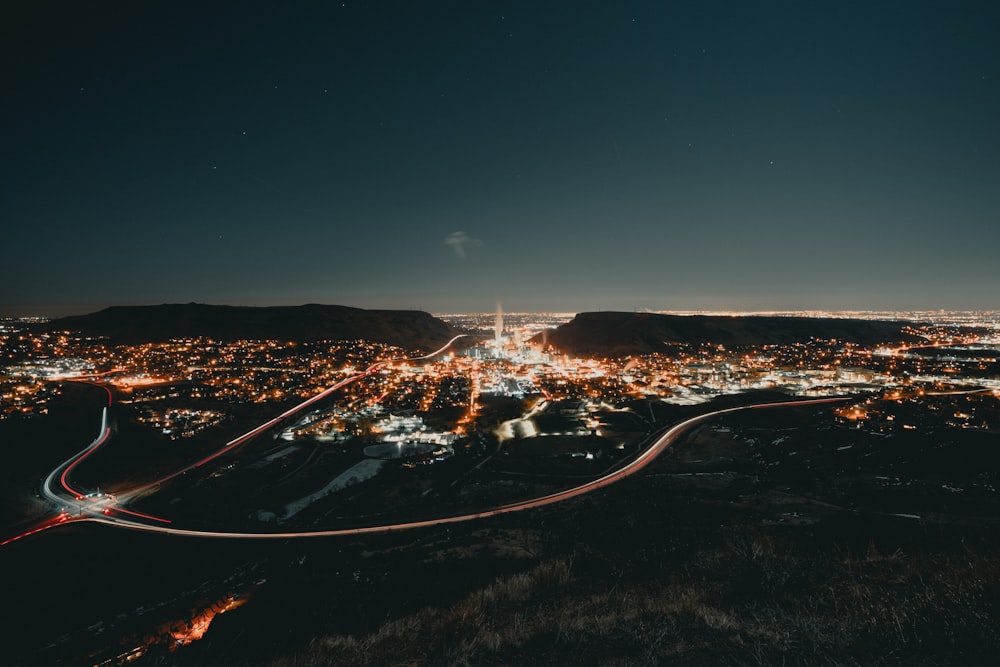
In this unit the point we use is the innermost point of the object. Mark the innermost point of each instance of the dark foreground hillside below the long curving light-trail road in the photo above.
(779, 536)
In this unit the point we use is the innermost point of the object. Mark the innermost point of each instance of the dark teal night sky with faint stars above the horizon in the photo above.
(446, 156)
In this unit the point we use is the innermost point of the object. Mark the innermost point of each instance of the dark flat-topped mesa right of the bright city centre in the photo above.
(613, 334)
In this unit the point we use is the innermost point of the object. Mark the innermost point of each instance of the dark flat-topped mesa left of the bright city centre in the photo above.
(409, 329)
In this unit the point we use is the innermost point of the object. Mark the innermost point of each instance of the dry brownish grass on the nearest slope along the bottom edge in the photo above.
(879, 608)
